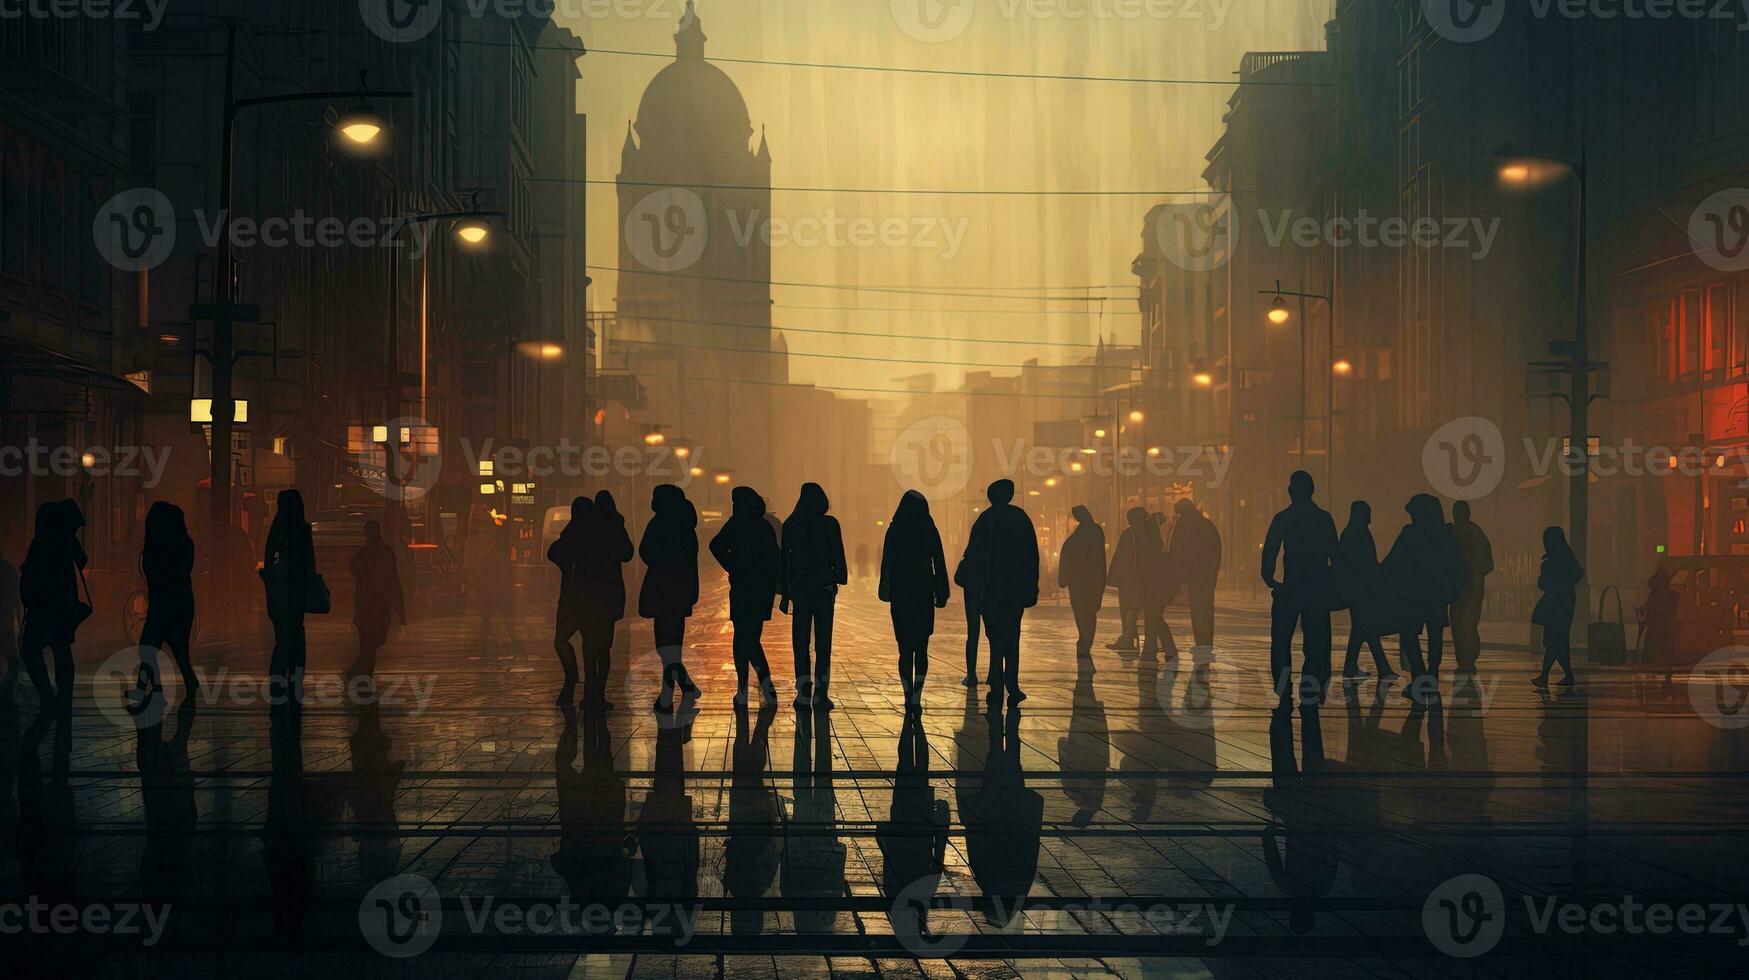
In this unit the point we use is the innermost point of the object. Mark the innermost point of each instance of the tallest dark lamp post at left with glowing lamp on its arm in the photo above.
(359, 127)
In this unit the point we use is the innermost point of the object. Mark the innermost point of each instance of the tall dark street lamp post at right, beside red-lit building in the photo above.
(1524, 172)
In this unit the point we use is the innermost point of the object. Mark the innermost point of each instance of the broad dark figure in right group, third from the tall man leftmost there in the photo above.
(1425, 575)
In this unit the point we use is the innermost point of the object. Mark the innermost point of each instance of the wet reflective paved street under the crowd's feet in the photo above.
(1127, 820)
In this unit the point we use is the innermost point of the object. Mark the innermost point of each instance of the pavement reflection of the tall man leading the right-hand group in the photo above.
(1302, 848)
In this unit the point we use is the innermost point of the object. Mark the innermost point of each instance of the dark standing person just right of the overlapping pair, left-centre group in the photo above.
(671, 585)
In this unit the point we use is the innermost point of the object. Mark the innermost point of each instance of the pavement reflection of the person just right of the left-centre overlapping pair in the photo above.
(667, 832)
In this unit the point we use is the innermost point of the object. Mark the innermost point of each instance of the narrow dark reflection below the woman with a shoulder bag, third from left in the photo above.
(286, 836)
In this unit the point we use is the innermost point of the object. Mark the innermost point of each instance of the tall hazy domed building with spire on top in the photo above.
(695, 267)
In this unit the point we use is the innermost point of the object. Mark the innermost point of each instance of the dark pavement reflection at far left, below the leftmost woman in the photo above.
(48, 832)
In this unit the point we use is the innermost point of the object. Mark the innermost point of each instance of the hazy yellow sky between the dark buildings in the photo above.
(891, 130)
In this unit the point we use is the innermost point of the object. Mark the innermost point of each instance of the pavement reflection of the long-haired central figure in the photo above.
(914, 839)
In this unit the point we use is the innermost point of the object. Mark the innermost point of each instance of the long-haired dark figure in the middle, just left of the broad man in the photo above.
(914, 580)
